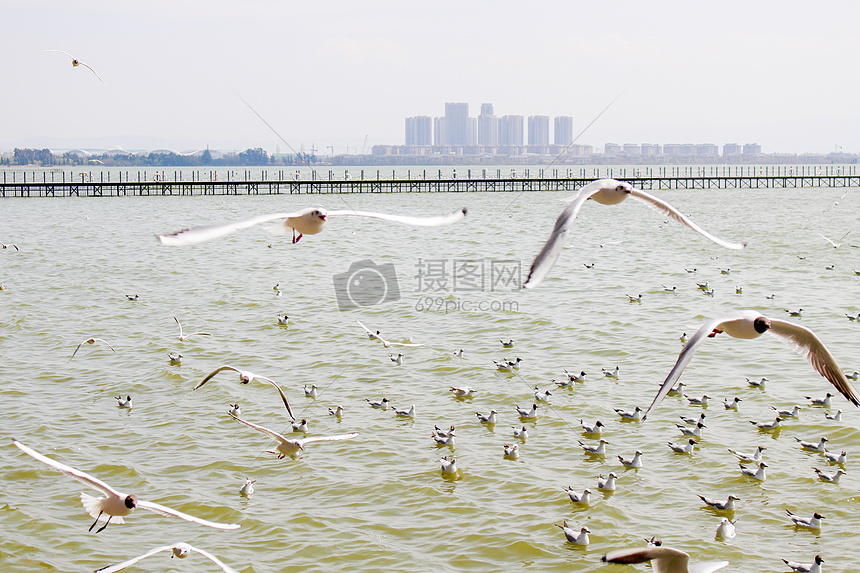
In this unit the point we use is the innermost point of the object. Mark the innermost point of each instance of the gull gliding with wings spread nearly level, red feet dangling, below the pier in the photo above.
(309, 221)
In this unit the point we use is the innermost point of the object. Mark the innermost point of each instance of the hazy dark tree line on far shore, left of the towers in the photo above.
(255, 157)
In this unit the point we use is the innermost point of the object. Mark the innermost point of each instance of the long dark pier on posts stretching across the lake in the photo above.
(322, 187)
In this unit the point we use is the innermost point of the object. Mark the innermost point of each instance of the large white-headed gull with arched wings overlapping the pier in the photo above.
(605, 192)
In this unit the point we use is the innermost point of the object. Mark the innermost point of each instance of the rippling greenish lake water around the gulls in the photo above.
(379, 502)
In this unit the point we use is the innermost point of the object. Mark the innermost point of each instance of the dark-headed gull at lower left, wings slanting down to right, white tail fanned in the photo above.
(115, 505)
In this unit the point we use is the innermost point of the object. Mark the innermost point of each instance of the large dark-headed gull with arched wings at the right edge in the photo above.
(748, 324)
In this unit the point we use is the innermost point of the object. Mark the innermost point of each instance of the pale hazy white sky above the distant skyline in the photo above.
(341, 76)
